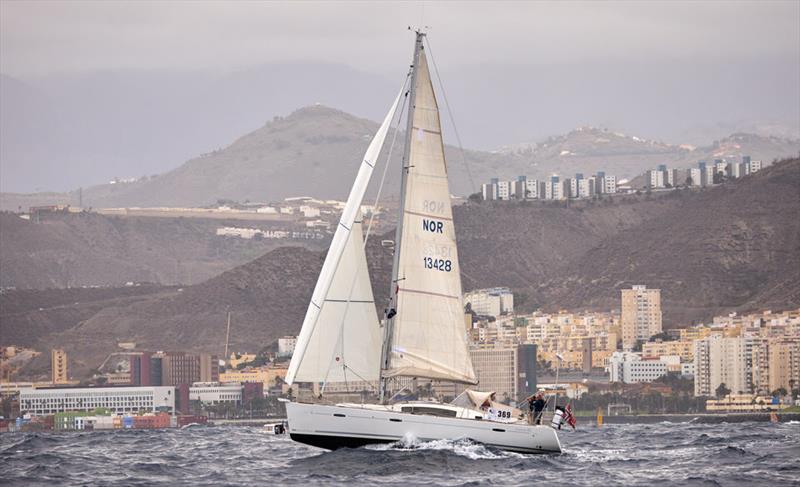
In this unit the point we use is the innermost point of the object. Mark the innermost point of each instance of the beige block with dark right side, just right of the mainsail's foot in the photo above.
(509, 371)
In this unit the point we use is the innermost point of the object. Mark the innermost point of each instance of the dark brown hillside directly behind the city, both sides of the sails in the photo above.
(732, 247)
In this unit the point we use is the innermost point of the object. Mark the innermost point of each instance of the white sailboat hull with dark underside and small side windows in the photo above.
(333, 427)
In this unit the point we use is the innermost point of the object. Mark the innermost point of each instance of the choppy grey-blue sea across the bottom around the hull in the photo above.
(751, 454)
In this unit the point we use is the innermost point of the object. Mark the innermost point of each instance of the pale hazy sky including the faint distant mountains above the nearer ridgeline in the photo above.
(97, 90)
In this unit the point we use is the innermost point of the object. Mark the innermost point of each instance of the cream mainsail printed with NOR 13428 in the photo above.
(428, 337)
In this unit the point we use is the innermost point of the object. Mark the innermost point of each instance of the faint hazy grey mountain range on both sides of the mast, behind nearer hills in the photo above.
(91, 127)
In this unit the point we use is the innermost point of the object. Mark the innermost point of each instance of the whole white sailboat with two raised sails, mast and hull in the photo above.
(422, 333)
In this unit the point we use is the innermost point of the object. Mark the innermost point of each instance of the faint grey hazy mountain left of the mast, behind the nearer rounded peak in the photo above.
(69, 130)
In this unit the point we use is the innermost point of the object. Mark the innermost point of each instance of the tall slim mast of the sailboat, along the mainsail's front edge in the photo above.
(387, 331)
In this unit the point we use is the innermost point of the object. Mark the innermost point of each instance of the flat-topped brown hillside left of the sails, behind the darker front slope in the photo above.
(88, 249)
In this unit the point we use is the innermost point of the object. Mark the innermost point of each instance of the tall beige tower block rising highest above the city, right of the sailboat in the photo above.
(641, 315)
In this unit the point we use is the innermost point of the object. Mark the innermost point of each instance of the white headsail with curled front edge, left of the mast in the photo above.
(344, 269)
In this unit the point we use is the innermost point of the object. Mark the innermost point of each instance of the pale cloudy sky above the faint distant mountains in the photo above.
(43, 37)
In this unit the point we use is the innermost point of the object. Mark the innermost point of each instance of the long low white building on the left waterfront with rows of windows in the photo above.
(118, 400)
